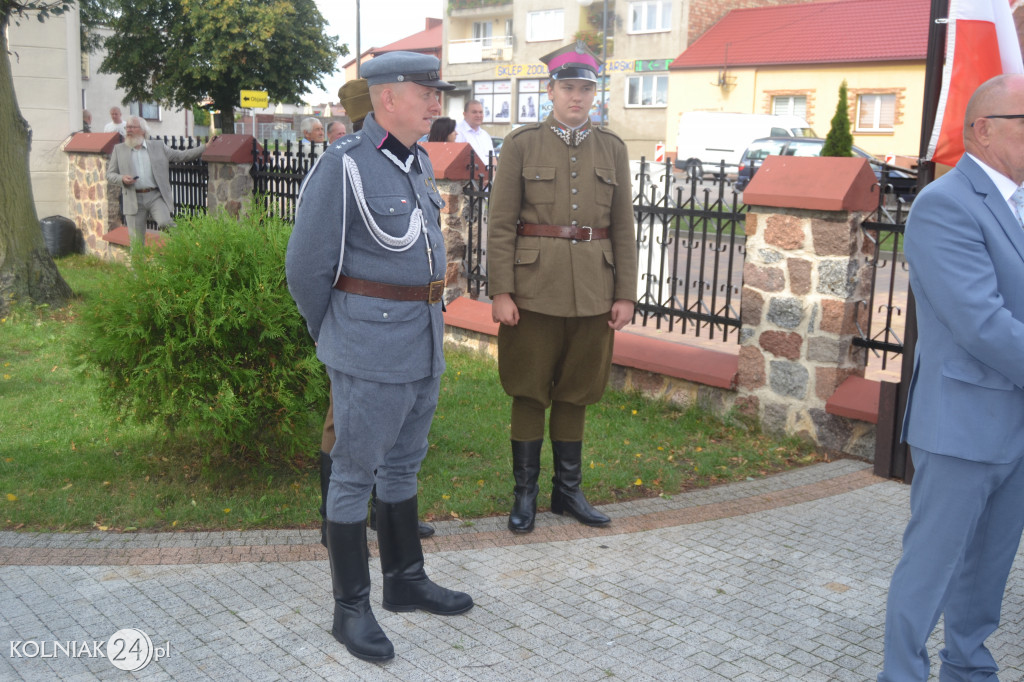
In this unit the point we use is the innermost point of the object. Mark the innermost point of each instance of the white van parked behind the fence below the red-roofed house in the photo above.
(707, 139)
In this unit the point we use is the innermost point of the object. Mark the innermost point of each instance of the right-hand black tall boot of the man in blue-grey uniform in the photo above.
(407, 587)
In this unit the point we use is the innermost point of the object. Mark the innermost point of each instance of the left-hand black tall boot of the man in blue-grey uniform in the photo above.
(355, 625)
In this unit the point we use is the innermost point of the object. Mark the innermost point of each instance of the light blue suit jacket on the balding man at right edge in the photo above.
(966, 252)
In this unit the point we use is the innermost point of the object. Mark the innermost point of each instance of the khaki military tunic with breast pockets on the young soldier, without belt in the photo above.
(541, 180)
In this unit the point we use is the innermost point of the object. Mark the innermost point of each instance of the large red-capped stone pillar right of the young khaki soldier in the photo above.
(803, 276)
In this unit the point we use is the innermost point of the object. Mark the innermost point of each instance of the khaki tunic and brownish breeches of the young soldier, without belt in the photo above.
(561, 352)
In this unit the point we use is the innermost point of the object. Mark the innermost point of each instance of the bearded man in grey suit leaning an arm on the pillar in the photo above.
(141, 167)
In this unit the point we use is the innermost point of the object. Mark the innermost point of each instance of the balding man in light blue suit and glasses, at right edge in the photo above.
(965, 417)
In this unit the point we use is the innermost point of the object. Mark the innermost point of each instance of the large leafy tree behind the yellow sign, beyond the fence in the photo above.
(182, 53)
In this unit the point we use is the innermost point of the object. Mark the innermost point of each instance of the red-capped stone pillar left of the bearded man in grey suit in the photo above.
(94, 203)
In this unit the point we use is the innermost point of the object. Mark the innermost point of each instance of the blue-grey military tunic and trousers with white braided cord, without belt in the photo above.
(385, 358)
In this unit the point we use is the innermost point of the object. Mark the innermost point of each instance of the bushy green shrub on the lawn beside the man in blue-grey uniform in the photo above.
(202, 336)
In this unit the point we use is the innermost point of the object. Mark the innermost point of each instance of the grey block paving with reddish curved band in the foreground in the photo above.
(777, 579)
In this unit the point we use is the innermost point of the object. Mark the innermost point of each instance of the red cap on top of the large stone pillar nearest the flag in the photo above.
(823, 184)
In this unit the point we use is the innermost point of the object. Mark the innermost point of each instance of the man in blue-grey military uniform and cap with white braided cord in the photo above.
(366, 266)
